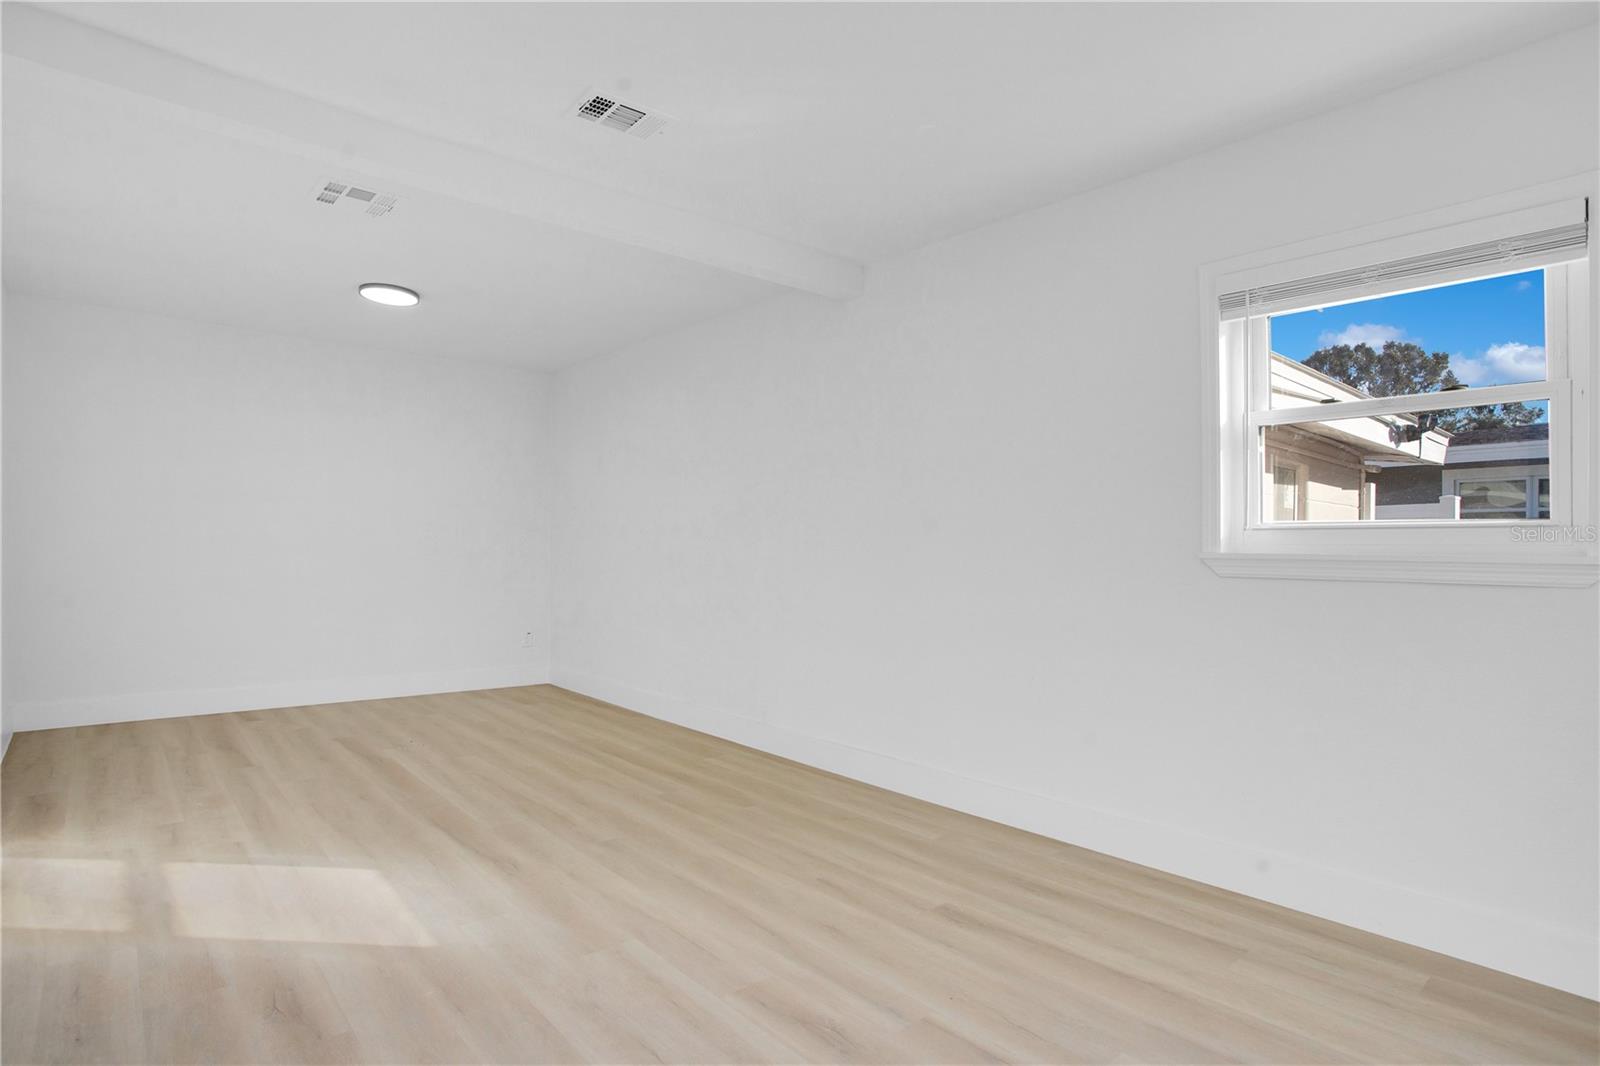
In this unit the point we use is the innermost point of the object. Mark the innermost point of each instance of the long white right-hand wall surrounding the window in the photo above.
(943, 539)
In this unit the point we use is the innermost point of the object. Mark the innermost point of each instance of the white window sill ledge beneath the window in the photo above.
(1550, 574)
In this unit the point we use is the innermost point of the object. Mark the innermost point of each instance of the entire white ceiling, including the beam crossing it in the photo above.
(806, 138)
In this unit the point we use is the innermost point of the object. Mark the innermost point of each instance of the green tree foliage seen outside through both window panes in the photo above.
(1402, 369)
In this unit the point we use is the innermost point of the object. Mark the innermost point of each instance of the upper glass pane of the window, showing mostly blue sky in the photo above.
(1455, 337)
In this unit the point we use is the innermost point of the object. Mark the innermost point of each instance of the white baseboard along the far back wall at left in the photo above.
(170, 705)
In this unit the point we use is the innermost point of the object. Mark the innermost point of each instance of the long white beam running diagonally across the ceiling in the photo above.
(343, 140)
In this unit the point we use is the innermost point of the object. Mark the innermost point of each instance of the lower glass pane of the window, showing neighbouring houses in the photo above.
(1468, 463)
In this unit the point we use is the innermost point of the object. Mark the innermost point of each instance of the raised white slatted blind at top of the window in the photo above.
(1522, 252)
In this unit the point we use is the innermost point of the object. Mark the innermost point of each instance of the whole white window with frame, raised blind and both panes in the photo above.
(1407, 404)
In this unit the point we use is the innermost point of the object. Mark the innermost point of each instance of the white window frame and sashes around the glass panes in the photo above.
(1236, 542)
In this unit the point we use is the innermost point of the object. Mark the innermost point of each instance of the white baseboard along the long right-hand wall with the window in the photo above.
(1561, 958)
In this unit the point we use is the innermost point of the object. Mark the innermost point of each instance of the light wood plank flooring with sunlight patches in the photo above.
(529, 876)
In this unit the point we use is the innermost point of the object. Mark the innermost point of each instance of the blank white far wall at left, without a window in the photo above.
(209, 519)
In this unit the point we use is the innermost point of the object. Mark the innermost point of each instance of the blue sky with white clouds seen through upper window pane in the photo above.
(1492, 329)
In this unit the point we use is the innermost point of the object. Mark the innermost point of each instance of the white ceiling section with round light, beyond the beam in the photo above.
(106, 202)
